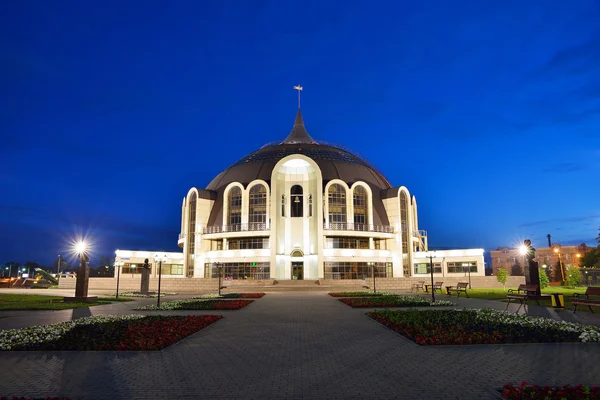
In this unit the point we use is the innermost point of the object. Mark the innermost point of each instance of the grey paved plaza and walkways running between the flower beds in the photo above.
(293, 345)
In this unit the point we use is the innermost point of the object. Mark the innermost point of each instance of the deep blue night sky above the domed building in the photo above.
(488, 111)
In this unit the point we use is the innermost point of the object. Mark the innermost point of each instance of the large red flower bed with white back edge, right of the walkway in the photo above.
(475, 326)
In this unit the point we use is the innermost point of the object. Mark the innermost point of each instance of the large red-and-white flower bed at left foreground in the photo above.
(107, 332)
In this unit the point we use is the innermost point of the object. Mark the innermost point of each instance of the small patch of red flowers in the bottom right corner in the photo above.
(534, 392)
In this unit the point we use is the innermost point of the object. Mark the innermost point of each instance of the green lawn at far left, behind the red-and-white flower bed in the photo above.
(40, 302)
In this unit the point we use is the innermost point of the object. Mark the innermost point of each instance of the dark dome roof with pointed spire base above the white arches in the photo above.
(334, 162)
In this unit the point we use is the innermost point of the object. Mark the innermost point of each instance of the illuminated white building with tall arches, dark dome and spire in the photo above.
(300, 209)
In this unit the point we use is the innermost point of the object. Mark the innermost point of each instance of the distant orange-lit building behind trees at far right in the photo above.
(548, 257)
